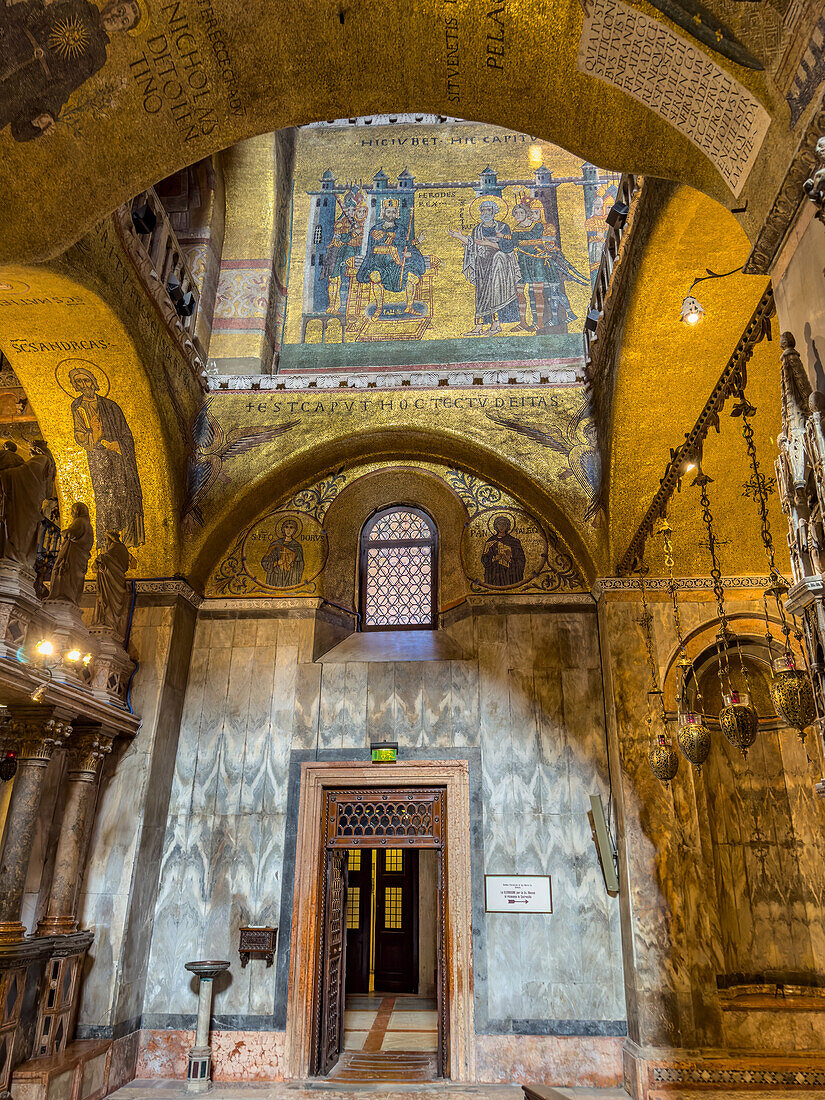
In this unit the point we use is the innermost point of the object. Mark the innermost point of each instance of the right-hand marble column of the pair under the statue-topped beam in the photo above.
(85, 754)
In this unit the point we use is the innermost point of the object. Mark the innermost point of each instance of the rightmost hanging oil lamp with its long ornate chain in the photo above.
(791, 688)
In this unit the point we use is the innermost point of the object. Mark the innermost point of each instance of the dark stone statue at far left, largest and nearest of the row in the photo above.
(24, 488)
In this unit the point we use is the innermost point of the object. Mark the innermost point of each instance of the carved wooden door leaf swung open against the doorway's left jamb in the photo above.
(335, 962)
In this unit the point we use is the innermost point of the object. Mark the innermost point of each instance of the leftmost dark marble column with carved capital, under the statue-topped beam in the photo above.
(37, 734)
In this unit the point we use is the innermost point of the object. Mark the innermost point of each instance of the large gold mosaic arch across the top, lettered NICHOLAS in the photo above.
(173, 82)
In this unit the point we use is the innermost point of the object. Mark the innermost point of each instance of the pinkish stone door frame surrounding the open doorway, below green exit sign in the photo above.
(304, 1010)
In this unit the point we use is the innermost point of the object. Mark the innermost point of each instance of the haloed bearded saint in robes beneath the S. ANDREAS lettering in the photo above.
(103, 432)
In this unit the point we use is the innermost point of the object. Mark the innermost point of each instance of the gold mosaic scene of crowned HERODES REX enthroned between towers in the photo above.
(383, 244)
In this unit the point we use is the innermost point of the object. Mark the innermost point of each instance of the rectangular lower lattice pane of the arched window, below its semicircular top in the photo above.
(399, 587)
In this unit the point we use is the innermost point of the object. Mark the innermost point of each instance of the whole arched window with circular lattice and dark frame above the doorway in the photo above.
(399, 564)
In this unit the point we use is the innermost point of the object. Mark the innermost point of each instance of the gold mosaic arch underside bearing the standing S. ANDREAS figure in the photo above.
(91, 395)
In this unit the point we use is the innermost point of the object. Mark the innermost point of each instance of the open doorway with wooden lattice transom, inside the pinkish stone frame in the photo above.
(382, 1010)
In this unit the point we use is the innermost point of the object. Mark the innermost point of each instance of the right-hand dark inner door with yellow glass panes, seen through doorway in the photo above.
(397, 921)
